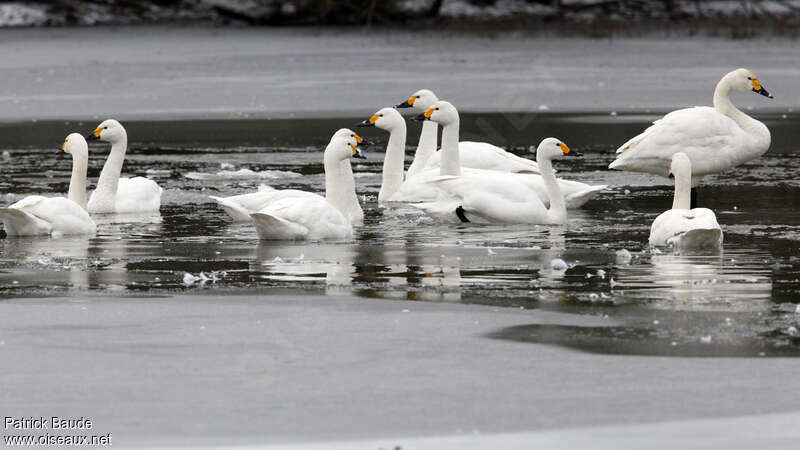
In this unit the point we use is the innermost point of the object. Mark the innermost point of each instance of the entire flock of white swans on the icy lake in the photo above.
(460, 182)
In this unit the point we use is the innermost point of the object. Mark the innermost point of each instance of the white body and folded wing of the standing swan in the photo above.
(712, 140)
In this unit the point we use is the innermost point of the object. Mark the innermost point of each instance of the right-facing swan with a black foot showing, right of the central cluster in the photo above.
(490, 198)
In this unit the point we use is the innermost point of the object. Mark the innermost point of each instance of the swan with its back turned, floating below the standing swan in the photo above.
(681, 227)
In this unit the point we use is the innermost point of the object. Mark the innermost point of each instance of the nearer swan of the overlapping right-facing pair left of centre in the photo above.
(304, 215)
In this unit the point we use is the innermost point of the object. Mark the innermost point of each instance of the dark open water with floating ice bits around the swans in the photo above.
(742, 302)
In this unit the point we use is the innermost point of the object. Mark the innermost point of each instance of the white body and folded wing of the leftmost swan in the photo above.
(38, 216)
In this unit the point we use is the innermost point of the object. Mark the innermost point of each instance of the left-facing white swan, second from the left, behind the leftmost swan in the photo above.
(120, 195)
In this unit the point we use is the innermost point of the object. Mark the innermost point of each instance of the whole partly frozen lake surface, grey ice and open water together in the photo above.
(414, 334)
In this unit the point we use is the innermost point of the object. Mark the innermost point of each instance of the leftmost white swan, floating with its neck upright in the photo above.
(56, 216)
